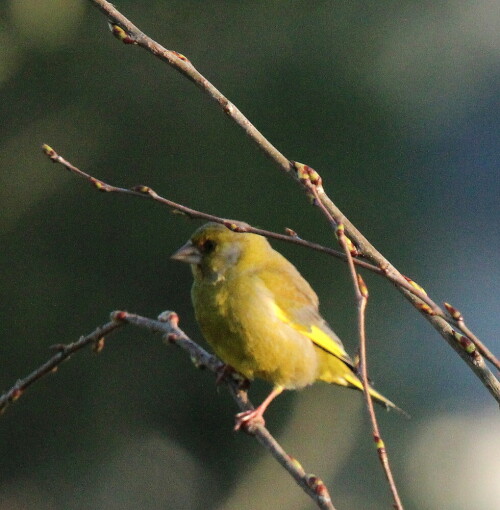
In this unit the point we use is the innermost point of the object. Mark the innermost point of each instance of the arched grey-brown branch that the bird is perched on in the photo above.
(167, 326)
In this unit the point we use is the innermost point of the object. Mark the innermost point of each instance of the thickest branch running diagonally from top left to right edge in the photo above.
(128, 33)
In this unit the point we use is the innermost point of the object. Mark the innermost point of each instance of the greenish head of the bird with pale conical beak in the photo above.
(214, 249)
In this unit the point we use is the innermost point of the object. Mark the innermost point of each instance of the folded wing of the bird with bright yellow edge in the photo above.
(296, 304)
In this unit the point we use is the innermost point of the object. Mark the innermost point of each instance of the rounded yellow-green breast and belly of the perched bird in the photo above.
(242, 325)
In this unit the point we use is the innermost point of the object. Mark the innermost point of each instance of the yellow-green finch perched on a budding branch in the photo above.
(261, 317)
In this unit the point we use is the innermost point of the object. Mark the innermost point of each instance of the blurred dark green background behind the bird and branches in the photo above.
(394, 103)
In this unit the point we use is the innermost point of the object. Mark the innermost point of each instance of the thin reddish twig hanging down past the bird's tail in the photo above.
(361, 292)
